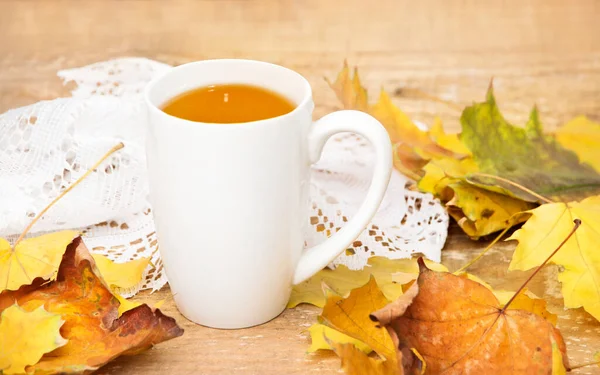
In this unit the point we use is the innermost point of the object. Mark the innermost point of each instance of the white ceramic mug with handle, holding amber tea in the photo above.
(231, 202)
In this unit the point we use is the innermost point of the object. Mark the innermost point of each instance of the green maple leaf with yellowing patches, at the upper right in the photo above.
(522, 157)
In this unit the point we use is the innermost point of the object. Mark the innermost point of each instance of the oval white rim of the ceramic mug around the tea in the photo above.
(306, 97)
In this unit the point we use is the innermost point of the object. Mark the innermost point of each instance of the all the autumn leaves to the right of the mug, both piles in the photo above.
(400, 317)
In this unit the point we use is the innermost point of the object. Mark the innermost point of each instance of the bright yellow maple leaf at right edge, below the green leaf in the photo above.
(579, 259)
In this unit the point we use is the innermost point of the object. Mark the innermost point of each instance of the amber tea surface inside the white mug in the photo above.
(228, 104)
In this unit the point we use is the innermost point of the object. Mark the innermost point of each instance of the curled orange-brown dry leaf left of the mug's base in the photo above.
(94, 332)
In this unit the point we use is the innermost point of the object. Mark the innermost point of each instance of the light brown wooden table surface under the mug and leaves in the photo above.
(544, 52)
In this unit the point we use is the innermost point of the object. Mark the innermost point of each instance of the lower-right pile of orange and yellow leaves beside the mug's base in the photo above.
(438, 323)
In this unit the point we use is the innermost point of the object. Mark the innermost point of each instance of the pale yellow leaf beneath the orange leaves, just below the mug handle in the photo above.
(389, 273)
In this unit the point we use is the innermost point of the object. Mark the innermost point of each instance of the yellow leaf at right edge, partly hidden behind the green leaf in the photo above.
(582, 136)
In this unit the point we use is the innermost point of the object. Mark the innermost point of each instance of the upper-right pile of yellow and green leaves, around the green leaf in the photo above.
(494, 175)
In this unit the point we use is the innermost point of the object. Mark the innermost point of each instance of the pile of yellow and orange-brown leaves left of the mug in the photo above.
(60, 310)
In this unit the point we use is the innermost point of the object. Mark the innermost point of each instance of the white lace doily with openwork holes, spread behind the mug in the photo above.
(46, 146)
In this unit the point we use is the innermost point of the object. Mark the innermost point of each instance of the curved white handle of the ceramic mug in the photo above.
(318, 257)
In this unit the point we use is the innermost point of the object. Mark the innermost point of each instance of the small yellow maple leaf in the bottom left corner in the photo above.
(26, 336)
